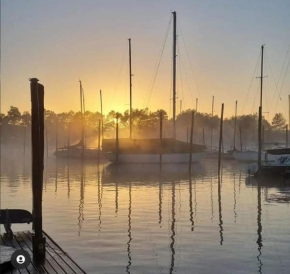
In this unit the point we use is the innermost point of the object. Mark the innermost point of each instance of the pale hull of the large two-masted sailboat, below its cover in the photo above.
(155, 158)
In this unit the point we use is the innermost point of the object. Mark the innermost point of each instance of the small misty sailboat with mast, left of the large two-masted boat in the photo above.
(79, 150)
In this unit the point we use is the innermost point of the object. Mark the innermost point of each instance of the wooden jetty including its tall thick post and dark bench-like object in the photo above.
(46, 255)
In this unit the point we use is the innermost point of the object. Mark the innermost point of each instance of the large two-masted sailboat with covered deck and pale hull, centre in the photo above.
(170, 150)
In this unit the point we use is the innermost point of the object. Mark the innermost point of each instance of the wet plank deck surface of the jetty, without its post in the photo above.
(57, 261)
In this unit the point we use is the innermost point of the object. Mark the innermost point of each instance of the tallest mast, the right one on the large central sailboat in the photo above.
(174, 75)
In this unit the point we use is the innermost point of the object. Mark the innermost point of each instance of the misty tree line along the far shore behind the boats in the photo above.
(61, 128)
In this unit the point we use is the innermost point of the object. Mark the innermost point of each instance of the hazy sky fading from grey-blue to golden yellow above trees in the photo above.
(62, 41)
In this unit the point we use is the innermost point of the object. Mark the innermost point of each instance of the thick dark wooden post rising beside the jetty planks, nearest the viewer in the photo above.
(37, 137)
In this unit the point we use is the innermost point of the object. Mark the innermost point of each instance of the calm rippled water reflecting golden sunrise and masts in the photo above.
(138, 220)
